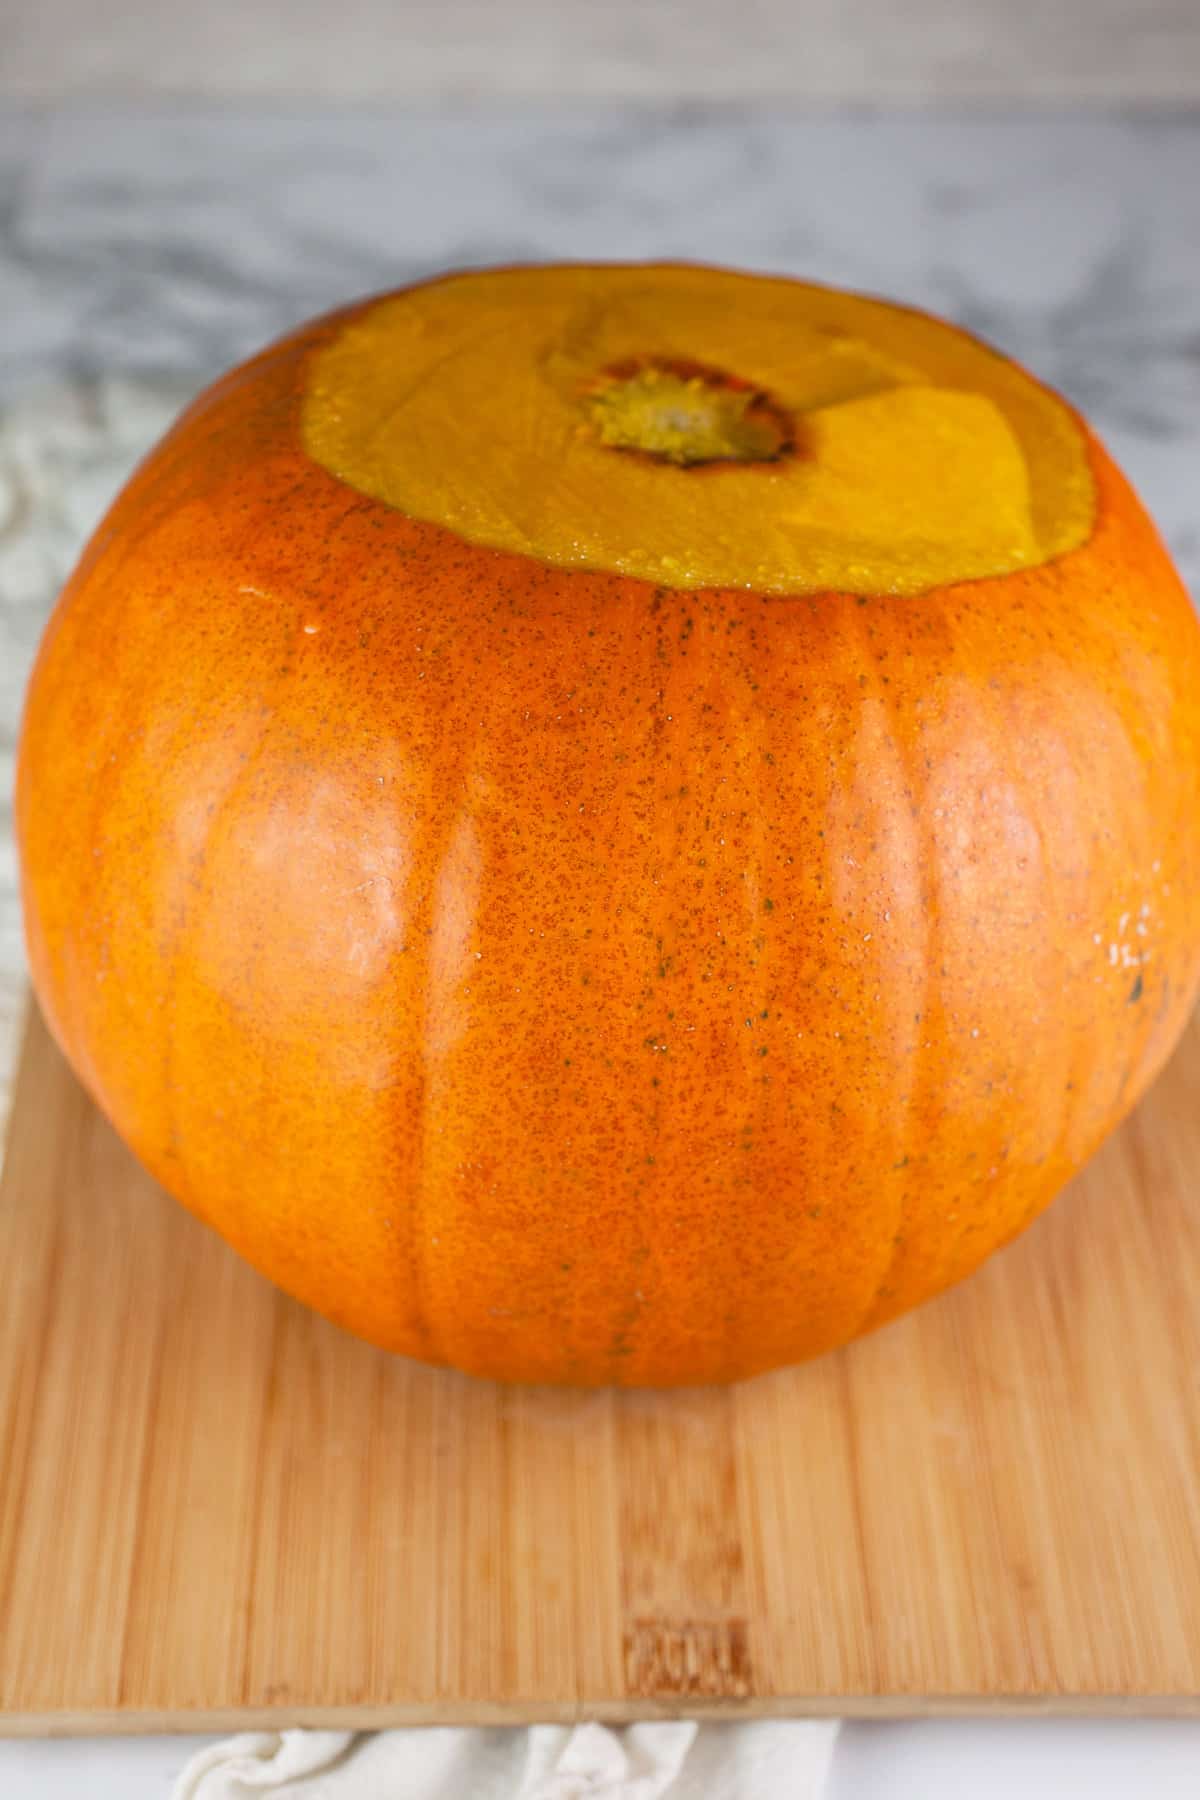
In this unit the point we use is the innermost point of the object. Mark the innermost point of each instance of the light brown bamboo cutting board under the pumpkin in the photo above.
(219, 1511)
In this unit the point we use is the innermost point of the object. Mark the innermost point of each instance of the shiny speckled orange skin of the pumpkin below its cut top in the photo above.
(577, 978)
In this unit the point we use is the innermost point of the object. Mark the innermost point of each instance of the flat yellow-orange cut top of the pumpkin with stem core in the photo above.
(697, 427)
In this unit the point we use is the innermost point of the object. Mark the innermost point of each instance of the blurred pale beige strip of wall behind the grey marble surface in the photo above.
(1044, 51)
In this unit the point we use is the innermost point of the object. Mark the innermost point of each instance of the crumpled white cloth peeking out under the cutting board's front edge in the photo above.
(771, 1759)
